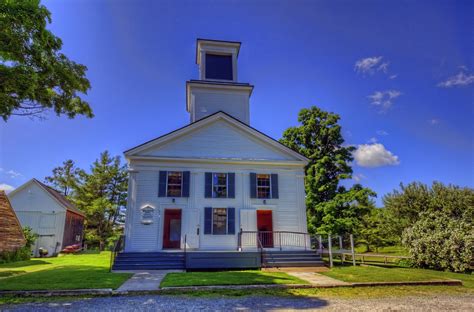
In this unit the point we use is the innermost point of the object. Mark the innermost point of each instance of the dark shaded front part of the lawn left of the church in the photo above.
(65, 277)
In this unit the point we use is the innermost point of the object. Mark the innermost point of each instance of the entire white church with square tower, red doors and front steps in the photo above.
(216, 192)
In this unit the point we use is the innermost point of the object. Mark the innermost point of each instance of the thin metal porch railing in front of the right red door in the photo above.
(274, 239)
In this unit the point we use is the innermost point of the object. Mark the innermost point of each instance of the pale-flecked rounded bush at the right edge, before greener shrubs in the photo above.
(439, 241)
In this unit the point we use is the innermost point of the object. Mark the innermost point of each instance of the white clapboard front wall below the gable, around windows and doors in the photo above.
(288, 210)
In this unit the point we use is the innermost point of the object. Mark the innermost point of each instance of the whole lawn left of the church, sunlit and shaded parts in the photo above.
(63, 272)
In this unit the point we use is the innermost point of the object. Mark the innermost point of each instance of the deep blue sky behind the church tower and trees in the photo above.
(400, 74)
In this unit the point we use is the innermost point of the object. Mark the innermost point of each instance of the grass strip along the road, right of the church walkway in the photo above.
(394, 274)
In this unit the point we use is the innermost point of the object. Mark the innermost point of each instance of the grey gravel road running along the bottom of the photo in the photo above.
(253, 303)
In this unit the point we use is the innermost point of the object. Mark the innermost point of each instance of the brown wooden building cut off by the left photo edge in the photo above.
(11, 234)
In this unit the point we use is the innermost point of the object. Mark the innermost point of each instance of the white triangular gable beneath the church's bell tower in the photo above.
(218, 136)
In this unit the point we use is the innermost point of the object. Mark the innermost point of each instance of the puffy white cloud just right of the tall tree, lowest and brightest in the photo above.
(374, 155)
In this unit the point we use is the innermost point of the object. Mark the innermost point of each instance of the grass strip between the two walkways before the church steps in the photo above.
(228, 278)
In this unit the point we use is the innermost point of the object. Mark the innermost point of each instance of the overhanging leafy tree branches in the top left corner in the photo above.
(34, 75)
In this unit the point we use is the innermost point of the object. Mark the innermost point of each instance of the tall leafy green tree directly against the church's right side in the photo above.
(331, 208)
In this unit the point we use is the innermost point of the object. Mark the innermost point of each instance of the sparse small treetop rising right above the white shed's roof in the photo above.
(65, 178)
